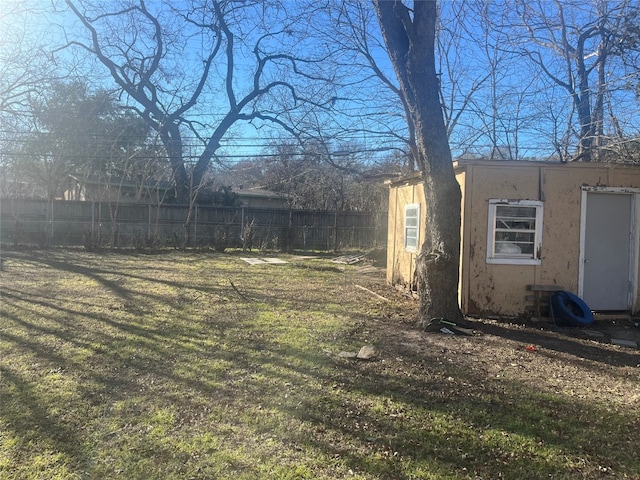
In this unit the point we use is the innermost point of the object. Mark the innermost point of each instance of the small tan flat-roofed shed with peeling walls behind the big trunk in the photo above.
(529, 227)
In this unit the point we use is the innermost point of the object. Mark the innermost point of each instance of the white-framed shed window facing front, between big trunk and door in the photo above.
(515, 232)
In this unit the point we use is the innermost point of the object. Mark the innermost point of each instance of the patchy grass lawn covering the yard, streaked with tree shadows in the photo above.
(199, 366)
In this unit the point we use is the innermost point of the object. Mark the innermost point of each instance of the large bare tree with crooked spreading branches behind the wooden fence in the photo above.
(172, 60)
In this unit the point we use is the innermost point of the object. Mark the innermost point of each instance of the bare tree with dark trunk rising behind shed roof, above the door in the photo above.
(573, 44)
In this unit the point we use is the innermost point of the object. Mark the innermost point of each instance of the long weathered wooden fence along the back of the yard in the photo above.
(99, 225)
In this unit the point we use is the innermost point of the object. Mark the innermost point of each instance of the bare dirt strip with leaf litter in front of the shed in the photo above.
(579, 362)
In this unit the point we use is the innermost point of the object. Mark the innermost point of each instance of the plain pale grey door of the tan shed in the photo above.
(607, 251)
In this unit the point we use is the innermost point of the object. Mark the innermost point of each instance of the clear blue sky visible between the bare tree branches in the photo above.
(521, 113)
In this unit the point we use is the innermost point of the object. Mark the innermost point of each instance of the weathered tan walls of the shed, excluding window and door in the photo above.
(502, 289)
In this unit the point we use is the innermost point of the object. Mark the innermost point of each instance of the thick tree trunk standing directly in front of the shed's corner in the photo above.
(410, 41)
